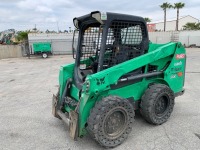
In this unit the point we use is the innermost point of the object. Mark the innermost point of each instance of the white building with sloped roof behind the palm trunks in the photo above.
(171, 24)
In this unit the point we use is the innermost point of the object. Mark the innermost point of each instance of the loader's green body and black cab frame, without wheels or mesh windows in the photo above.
(158, 63)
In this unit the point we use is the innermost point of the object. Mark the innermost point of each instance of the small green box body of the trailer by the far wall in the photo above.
(42, 47)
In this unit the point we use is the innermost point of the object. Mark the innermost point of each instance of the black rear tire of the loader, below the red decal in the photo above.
(149, 100)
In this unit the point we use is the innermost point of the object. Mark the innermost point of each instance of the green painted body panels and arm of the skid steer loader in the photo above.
(100, 82)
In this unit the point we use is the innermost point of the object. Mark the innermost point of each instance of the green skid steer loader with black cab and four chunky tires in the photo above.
(117, 71)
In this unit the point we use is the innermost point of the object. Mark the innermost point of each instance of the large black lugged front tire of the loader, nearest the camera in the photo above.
(101, 113)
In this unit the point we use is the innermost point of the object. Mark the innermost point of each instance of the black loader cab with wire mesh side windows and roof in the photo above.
(107, 40)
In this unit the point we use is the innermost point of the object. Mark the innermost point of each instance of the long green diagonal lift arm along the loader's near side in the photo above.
(111, 75)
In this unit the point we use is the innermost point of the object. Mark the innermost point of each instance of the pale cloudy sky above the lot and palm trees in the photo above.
(58, 14)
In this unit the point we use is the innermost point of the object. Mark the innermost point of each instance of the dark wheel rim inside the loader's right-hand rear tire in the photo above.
(161, 105)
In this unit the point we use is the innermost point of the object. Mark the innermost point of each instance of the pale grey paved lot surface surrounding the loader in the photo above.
(26, 88)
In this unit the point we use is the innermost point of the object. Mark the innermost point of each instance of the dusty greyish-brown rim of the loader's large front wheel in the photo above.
(115, 123)
